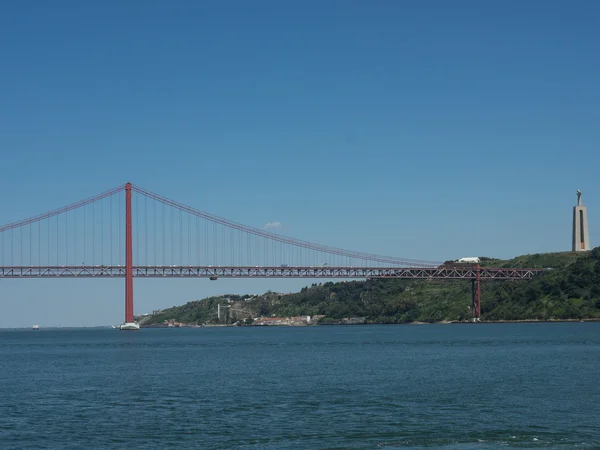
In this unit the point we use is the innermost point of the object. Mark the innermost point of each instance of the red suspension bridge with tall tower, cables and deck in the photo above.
(95, 238)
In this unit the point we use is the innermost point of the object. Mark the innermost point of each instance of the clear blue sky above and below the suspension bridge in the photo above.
(427, 130)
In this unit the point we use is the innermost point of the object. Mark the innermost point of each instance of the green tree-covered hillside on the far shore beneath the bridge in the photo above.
(569, 289)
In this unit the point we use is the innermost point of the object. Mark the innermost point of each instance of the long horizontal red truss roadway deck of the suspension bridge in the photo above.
(471, 272)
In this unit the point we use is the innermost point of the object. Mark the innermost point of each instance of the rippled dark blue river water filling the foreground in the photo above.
(474, 386)
